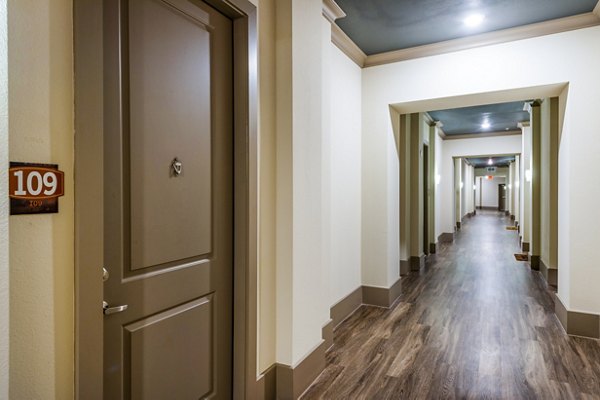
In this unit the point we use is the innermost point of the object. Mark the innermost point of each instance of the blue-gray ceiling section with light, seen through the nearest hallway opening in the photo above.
(467, 120)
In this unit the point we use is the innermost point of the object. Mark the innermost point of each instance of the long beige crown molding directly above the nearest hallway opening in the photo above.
(490, 38)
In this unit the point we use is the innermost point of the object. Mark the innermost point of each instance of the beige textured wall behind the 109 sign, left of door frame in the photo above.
(41, 246)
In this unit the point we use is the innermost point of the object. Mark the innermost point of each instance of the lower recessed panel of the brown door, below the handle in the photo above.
(183, 373)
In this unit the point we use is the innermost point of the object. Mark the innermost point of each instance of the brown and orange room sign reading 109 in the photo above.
(34, 188)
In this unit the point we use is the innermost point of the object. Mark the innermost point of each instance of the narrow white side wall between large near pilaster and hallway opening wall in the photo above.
(345, 178)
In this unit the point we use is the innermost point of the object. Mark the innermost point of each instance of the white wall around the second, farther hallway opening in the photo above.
(467, 147)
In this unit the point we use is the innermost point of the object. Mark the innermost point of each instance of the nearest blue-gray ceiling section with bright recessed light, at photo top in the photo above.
(378, 26)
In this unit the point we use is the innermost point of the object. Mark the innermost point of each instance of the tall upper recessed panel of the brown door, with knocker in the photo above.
(169, 118)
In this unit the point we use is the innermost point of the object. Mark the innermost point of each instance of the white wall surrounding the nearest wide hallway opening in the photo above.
(569, 57)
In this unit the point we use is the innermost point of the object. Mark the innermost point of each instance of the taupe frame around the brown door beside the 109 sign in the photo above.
(89, 164)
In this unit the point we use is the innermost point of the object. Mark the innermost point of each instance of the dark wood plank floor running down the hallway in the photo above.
(473, 324)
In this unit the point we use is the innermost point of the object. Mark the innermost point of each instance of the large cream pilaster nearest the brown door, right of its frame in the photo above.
(301, 310)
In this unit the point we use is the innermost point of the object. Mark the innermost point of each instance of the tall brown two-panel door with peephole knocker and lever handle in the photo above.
(168, 200)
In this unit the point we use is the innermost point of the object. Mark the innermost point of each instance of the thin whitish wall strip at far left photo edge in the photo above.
(4, 276)
